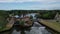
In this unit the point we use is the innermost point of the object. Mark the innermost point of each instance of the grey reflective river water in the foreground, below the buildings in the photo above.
(33, 30)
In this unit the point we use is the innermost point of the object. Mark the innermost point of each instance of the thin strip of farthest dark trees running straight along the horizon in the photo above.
(28, 11)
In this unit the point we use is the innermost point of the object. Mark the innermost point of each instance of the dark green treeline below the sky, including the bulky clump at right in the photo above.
(42, 13)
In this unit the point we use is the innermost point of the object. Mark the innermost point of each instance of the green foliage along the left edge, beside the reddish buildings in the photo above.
(3, 21)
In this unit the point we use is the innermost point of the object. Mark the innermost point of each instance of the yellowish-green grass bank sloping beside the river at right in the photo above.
(53, 25)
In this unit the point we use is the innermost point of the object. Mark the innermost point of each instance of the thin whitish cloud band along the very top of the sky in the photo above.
(44, 1)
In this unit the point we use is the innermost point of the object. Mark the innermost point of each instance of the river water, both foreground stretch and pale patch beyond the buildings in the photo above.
(35, 29)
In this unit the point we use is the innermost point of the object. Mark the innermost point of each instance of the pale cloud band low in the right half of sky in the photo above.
(45, 7)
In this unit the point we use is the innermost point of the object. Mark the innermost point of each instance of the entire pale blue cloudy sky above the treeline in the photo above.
(29, 4)
